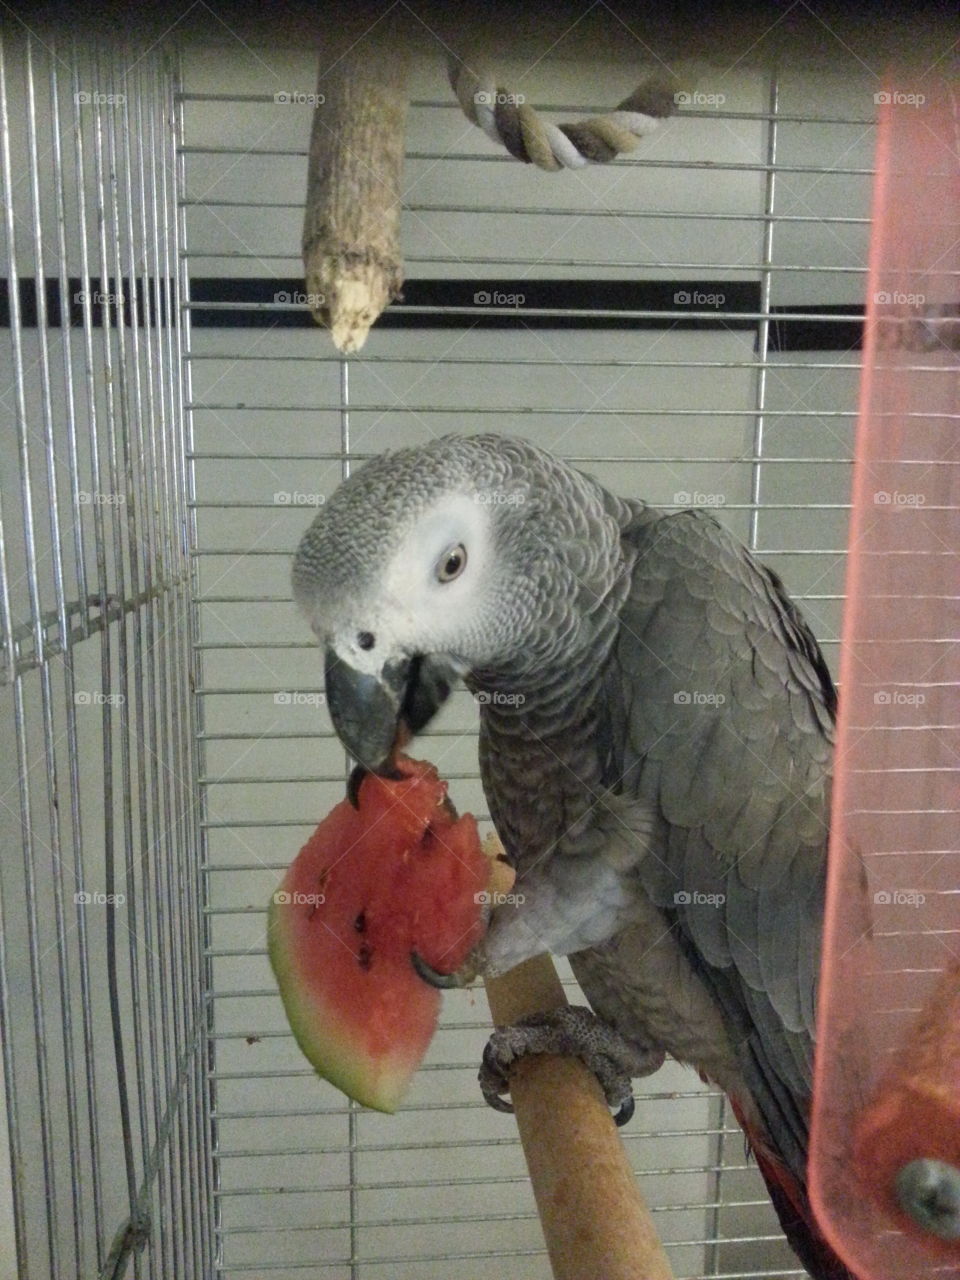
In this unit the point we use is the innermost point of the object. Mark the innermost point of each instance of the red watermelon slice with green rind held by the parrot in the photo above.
(399, 875)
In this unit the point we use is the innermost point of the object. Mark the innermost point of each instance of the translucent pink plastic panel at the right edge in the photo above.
(889, 1049)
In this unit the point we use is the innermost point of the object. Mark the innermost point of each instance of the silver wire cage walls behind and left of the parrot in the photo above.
(150, 648)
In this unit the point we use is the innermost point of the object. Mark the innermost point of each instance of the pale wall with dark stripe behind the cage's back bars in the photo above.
(749, 414)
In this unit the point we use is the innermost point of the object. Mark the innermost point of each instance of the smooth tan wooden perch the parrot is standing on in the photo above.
(593, 1215)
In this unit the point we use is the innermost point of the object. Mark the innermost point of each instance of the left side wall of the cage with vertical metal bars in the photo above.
(102, 982)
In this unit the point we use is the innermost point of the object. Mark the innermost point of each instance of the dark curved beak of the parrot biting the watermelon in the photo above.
(377, 716)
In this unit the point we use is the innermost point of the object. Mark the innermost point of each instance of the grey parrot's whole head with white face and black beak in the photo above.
(433, 564)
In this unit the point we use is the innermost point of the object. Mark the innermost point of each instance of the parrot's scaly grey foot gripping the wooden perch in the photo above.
(572, 1032)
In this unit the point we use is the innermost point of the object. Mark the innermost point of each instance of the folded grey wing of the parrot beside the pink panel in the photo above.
(720, 720)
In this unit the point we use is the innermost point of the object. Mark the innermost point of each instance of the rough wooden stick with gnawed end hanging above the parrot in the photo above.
(351, 227)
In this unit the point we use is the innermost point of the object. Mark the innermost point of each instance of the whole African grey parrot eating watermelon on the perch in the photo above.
(656, 733)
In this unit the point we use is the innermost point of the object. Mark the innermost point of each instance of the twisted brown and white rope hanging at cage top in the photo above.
(508, 121)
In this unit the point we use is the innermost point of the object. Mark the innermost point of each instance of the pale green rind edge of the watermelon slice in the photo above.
(335, 1052)
